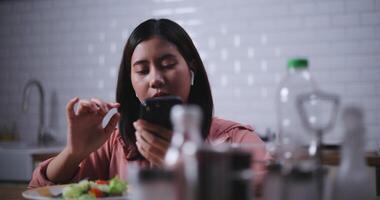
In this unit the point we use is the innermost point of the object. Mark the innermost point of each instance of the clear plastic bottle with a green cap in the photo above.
(292, 135)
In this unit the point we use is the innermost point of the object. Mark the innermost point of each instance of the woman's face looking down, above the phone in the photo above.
(158, 69)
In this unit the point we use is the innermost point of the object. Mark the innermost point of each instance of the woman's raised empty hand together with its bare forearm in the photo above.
(85, 135)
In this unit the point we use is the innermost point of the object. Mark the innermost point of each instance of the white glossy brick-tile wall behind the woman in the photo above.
(75, 47)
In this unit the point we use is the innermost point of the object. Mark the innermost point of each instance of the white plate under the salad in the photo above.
(48, 192)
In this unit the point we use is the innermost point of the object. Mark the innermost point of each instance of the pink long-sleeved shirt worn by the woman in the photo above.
(111, 159)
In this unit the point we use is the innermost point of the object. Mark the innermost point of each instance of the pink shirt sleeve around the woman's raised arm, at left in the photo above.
(95, 166)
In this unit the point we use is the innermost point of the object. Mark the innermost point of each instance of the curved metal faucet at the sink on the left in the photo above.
(44, 137)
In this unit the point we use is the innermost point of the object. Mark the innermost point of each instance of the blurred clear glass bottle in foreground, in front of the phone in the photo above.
(181, 154)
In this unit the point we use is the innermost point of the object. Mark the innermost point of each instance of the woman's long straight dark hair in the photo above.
(200, 92)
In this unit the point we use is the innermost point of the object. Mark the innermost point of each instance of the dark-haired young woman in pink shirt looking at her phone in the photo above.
(159, 59)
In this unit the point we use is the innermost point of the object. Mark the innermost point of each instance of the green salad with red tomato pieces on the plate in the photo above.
(85, 189)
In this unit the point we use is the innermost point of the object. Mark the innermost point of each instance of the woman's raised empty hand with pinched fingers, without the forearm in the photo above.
(85, 131)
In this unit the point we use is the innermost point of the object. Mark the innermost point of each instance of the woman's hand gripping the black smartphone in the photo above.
(152, 141)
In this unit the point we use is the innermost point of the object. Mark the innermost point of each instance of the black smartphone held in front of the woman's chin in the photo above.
(157, 110)
